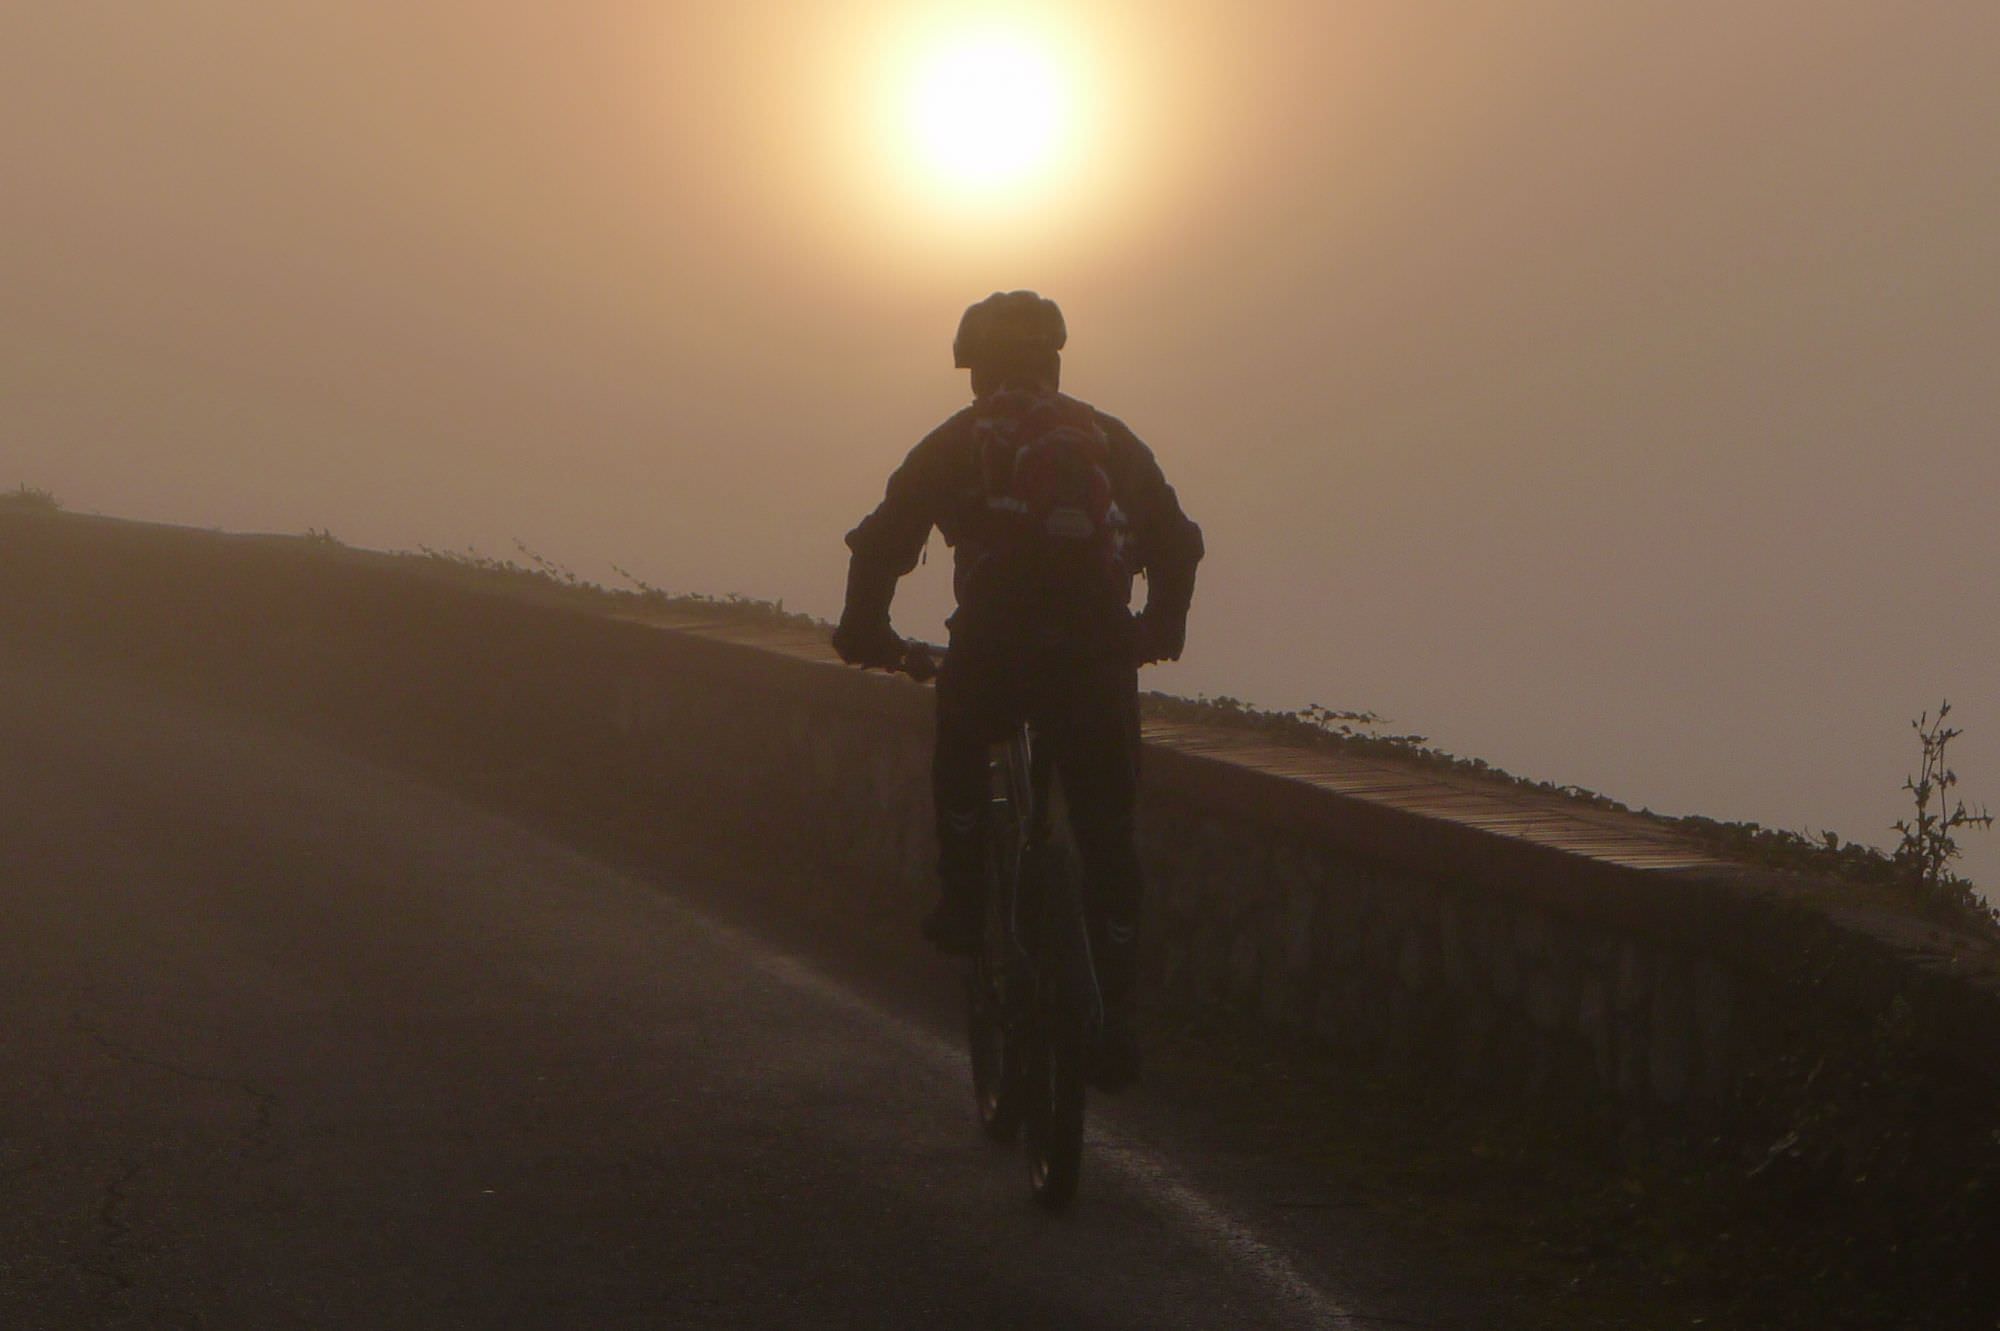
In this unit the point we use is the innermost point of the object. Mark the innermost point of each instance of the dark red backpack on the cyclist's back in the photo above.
(1045, 475)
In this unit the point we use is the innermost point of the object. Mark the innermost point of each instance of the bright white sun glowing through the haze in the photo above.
(989, 111)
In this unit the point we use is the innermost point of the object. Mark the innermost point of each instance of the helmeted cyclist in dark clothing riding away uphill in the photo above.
(1053, 511)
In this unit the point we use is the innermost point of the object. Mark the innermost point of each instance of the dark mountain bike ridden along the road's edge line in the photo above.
(1035, 1012)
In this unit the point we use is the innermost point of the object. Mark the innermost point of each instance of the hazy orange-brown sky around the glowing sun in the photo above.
(1605, 391)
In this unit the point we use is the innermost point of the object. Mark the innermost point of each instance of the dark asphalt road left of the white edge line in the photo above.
(289, 1040)
